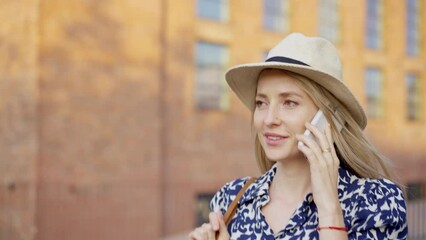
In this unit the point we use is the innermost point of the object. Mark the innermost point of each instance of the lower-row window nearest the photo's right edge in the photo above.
(413, 96)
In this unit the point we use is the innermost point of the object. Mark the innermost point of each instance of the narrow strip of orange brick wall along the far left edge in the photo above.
(18, 118)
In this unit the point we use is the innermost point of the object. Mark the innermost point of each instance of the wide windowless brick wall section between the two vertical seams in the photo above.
(99, 120)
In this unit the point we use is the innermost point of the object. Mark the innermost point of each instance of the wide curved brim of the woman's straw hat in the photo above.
(243, 81)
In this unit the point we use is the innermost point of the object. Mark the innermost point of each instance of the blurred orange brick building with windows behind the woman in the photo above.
(116, 122)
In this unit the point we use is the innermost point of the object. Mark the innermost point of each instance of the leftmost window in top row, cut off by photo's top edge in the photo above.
(213, 9)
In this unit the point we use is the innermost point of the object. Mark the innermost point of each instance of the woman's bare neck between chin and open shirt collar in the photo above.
(292, 180)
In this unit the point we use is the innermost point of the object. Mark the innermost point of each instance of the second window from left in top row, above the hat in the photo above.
(276, 15)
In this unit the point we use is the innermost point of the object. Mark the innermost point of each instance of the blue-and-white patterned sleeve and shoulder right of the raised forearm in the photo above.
(375, 206)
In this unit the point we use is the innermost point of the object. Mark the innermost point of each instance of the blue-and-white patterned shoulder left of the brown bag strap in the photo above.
(226, 194)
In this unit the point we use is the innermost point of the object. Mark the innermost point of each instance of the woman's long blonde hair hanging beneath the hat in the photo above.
(354, 150)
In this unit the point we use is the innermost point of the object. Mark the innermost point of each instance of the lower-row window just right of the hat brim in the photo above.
(373, 89)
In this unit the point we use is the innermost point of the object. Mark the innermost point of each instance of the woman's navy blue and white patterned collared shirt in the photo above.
(372, 209)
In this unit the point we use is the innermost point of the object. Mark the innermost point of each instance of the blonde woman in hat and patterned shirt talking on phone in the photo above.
(333, 186)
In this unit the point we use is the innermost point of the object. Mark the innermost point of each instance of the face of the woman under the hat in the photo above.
(282, 109)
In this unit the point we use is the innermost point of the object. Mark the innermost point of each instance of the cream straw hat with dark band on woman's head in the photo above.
(313, 57)
